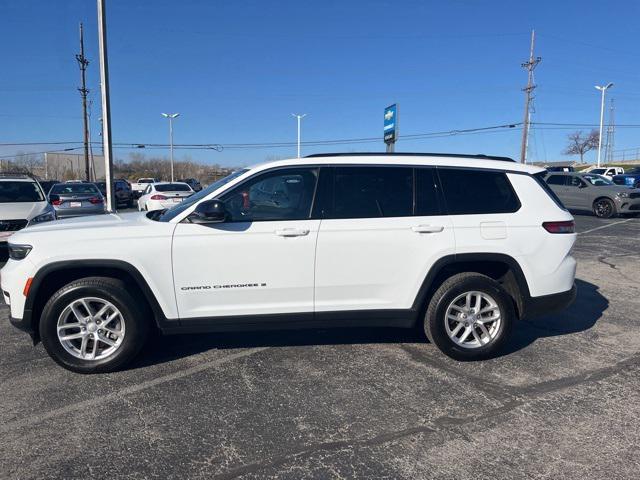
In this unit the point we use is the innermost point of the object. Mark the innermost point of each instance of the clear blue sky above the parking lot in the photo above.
(236, 70)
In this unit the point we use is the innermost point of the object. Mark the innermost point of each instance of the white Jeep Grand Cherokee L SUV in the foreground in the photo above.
(461, 245)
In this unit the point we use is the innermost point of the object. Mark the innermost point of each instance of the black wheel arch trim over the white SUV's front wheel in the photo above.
(55, 275)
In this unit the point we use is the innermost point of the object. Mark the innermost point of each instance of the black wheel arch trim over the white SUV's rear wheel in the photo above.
(501, 267)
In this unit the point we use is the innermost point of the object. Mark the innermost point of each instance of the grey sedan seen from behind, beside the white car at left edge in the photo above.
(74, 199)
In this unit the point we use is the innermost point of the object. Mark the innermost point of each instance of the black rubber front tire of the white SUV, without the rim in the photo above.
(134, 316)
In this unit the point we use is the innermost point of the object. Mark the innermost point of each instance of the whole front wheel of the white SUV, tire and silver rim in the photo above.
(93, 325)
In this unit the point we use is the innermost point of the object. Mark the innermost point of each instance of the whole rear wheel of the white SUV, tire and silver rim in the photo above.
(469, 317)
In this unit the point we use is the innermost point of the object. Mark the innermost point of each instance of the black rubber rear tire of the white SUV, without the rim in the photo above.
(435, 319)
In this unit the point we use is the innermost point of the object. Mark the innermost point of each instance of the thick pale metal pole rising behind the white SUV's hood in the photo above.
(106, 106)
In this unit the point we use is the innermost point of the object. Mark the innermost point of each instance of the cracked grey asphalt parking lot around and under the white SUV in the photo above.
(562, 402)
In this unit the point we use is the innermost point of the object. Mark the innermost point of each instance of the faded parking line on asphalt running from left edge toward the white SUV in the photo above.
(79, 406)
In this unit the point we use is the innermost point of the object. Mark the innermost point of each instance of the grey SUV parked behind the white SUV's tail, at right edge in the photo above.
(594, 193)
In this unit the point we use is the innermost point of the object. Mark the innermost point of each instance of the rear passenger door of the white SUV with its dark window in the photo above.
(382, 229)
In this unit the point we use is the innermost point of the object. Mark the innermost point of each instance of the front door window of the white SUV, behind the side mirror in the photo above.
(285, 194)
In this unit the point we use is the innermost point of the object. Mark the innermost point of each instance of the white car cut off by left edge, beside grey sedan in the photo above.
(22, 203)
